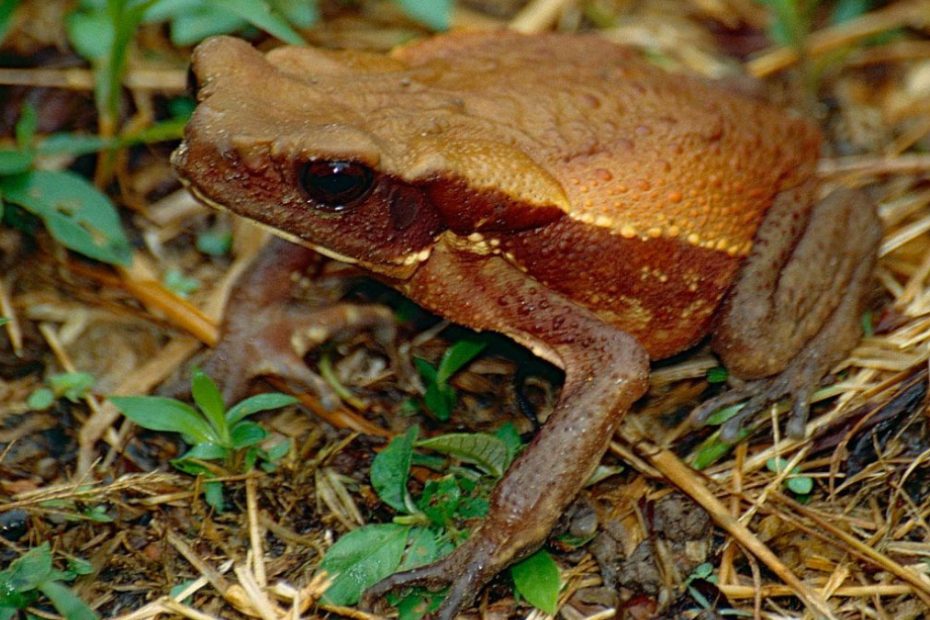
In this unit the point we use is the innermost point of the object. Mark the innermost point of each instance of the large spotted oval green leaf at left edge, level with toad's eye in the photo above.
(75, 212)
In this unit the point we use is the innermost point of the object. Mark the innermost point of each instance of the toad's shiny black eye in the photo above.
(336, 185)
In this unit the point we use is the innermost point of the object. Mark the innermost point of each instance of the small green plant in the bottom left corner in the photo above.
(32, 575)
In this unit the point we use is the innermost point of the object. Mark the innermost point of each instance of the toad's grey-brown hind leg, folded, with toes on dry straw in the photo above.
(795, 308)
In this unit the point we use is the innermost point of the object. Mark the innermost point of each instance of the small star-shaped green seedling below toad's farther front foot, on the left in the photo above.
(213, 432)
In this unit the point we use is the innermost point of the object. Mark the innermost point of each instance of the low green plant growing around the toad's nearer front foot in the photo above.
(428, 527)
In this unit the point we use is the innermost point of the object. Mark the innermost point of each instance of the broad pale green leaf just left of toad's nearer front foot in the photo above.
(362, 558)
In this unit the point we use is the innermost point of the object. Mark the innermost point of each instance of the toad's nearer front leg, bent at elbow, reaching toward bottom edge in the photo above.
(605, 371)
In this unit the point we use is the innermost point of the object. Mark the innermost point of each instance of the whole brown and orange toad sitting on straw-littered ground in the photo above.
(554, 188)
